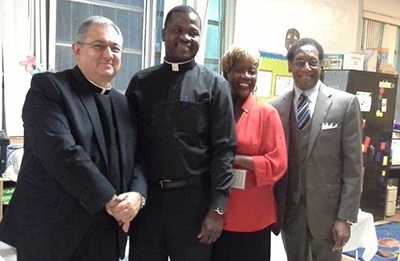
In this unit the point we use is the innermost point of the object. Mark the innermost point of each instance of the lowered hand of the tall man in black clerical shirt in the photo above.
(211, 228)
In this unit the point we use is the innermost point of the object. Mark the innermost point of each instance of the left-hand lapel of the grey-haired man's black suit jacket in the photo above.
(82, 88)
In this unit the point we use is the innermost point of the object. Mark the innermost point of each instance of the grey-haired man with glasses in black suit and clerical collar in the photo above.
(77, 190)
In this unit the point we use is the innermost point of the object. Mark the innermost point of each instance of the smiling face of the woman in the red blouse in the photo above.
(242, 77)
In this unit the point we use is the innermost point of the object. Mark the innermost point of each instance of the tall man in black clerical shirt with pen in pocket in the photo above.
(187, 137)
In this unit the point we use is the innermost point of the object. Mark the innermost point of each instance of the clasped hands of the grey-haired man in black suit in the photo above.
(124, 208)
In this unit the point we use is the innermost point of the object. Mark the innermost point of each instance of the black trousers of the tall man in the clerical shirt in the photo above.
(169, 224)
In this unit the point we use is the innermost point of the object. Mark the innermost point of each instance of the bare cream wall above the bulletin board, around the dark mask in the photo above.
(264, 23)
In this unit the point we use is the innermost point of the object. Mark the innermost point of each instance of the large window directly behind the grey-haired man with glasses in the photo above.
(127, 14)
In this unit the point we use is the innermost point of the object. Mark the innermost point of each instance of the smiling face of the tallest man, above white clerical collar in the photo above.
(182, 36)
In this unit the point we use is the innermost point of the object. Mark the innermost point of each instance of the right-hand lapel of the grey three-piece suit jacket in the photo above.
(322, 106)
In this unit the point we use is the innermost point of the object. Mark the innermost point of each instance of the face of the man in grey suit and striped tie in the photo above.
(305, 67)
